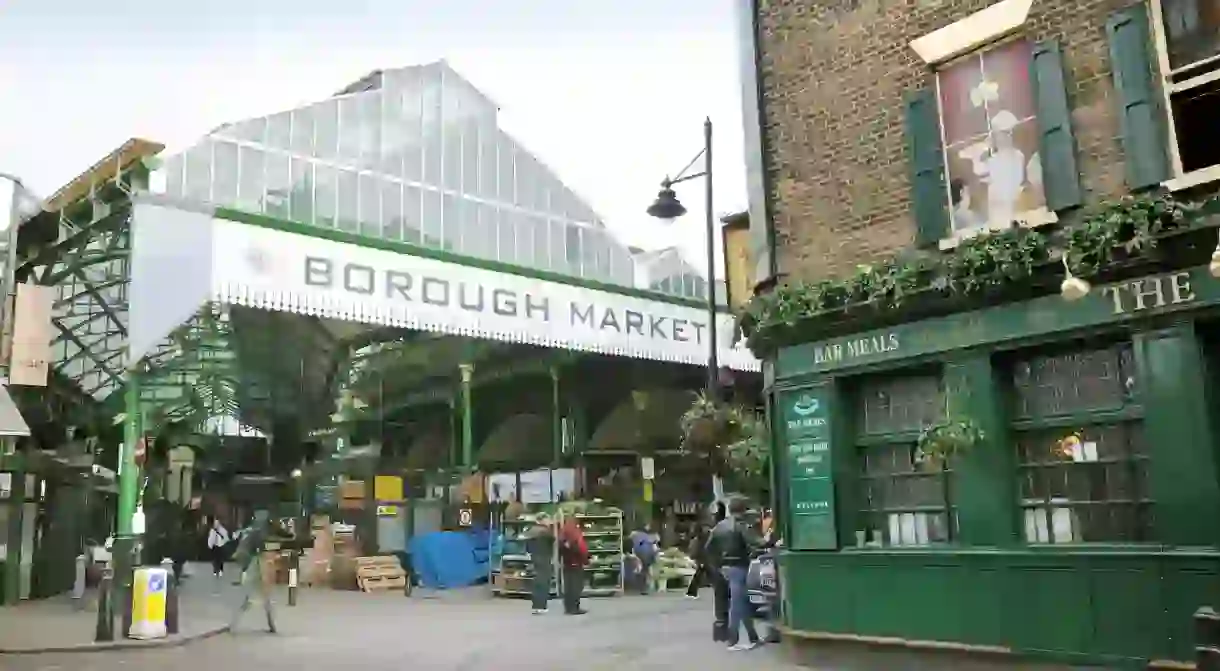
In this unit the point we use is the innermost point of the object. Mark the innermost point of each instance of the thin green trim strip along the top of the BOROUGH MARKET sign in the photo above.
(450, 258)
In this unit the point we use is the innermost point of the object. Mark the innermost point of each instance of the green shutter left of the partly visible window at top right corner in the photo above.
(1140, 109)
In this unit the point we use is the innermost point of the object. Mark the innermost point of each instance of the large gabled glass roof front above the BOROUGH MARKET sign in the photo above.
(413, 154)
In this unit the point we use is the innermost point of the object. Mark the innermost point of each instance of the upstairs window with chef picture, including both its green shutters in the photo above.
(991, 143)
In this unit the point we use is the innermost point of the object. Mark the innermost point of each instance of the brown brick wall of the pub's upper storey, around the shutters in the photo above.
(835, 76)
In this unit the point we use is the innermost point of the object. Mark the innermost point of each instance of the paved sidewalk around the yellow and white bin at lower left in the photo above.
(62, 625)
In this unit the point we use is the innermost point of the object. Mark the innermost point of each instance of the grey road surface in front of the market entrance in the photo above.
(458, 630)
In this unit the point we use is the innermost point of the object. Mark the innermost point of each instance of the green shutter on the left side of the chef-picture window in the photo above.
(927, 163)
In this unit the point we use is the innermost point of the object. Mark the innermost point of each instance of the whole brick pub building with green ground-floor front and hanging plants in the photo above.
(1001, 434)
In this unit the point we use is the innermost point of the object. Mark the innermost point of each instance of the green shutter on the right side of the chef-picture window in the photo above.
(1057, 147)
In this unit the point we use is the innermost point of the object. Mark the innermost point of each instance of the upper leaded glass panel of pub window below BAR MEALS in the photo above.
(900, 404)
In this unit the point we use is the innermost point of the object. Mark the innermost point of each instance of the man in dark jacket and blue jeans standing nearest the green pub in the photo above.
(730, 547)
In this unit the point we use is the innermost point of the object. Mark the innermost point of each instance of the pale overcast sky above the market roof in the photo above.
(611, 95)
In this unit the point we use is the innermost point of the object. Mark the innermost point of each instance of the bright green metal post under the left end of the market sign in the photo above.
(129, 493)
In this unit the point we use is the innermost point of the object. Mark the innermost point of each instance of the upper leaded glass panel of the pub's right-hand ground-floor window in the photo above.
(1073, 382)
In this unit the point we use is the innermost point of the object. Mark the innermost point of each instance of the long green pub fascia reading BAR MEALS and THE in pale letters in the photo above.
(1007, 325)
